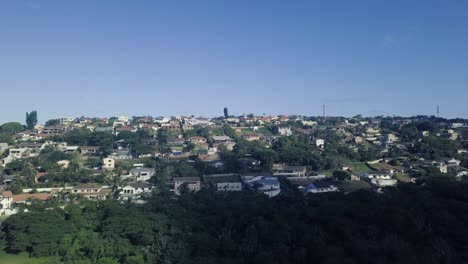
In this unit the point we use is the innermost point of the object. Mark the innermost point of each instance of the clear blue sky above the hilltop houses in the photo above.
(104, 58)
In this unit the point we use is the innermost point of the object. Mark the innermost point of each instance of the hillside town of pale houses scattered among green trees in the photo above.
(71, 159)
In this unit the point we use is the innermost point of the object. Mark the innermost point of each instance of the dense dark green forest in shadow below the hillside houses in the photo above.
(414, 223)
